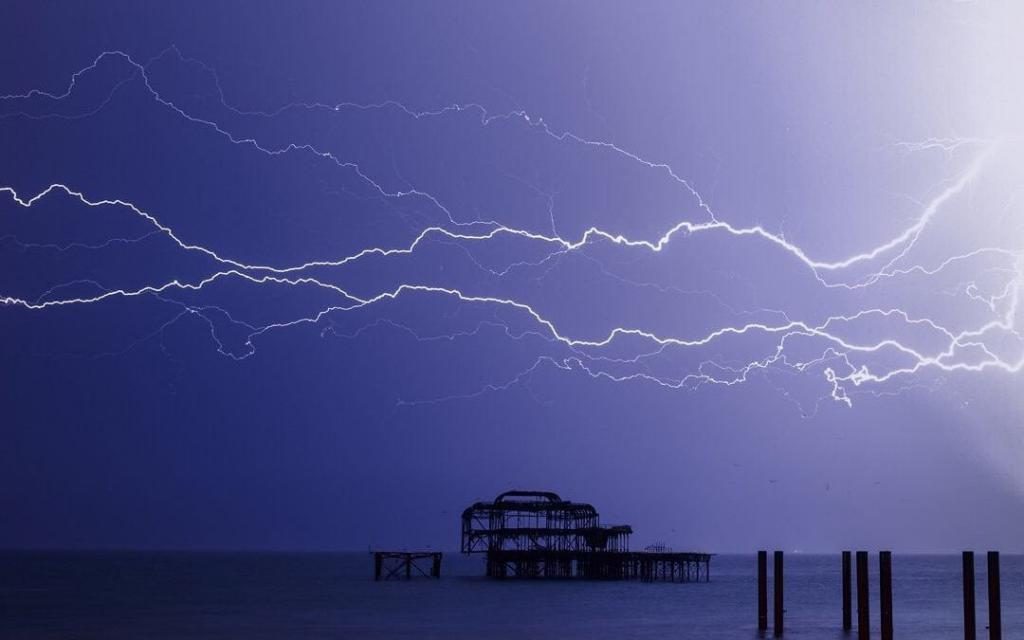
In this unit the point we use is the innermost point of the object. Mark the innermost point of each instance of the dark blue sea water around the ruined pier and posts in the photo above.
(255, 595)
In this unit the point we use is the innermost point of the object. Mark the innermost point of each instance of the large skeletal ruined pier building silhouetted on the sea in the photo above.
(539, 535)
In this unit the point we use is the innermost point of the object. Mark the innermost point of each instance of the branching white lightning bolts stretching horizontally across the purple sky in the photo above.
(884, 361)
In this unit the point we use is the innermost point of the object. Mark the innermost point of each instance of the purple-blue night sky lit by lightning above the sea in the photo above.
(318, 275)
